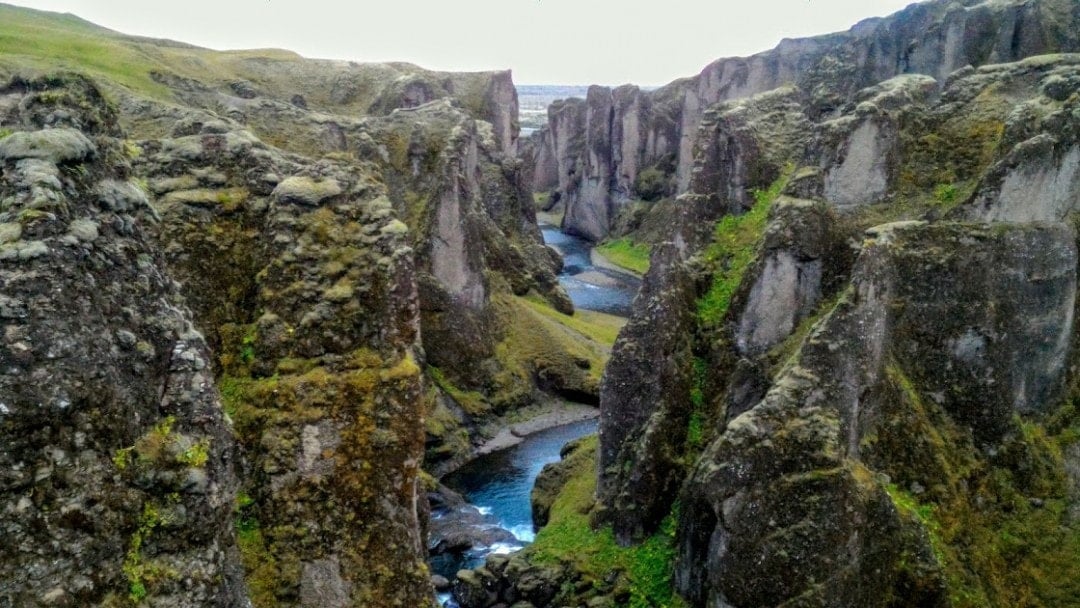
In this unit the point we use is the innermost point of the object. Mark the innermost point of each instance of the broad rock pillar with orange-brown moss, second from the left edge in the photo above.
(307, 289)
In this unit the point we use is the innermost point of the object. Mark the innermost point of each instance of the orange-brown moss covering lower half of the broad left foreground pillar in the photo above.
(328, 414)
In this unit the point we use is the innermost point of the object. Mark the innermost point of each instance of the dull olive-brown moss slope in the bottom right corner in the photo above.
(1000, 525)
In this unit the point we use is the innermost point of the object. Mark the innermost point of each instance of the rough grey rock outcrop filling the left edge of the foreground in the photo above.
(120, 469)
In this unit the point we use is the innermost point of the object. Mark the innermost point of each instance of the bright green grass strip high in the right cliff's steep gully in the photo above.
(735, 246)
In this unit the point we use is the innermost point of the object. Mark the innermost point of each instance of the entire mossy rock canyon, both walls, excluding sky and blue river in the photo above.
(255, 307)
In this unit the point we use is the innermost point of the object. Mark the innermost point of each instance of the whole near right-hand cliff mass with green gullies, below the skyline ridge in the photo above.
(849, 379)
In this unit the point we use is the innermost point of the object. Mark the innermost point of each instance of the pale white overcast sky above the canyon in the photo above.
(544, 42)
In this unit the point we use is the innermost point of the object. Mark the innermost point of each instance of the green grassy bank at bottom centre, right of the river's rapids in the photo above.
(595, 556)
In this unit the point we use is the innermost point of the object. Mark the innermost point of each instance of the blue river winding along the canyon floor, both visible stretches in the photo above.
(498, 485)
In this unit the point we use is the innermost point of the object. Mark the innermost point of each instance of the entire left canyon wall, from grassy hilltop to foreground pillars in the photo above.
(317, 219)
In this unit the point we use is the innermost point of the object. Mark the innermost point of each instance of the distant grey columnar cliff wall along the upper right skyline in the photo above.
(640, 145)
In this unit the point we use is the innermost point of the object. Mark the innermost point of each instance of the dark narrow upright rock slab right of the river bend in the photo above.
(644, 424)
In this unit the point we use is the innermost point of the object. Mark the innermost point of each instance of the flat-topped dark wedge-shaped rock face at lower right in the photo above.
(895, 359)
